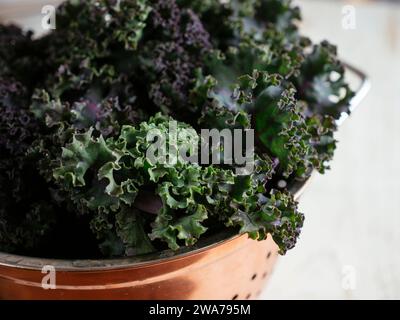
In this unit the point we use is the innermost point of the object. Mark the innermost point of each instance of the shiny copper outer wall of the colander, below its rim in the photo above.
(235, 269)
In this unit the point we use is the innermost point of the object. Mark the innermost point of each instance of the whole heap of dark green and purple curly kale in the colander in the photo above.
(76, 106)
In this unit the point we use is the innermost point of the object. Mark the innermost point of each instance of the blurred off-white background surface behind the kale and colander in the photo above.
(349, 247)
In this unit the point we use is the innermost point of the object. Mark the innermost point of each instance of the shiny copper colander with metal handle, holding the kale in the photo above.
(223, 266)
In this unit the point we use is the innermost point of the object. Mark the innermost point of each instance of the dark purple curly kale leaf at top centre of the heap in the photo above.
(173, 46)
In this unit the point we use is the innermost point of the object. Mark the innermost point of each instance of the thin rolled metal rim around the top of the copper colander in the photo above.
(211, 242)
